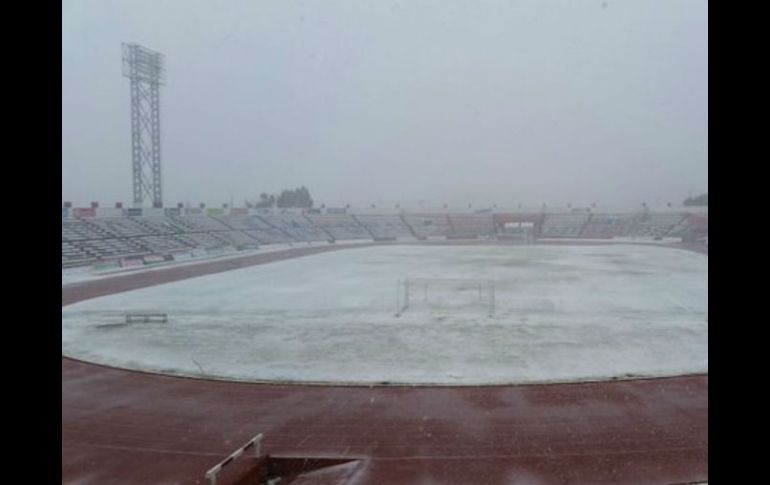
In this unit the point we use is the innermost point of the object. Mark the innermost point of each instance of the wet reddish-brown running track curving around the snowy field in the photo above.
(125, 427)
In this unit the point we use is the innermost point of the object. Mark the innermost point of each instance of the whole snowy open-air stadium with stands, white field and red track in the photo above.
(436, 346)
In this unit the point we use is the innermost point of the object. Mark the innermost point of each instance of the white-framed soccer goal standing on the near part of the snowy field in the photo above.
(446, 295)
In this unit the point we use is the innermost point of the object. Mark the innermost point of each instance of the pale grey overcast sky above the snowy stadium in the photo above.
(386, 102)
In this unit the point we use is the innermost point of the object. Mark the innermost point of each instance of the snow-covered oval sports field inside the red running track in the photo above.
(562, 313)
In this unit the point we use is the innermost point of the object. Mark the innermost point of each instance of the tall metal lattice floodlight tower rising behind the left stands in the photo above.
(145, 70)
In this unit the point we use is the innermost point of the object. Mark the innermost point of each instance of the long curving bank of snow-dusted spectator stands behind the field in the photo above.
(93, 239)
